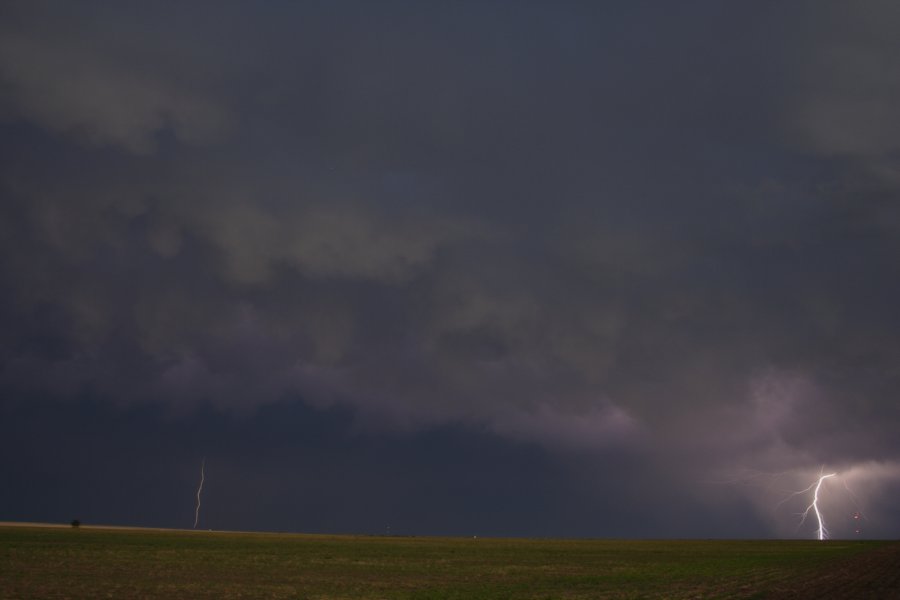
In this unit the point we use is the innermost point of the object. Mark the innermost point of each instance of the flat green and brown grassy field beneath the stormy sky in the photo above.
(88, 562)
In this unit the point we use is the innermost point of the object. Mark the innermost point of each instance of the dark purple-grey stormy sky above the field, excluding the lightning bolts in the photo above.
(472, 268)
